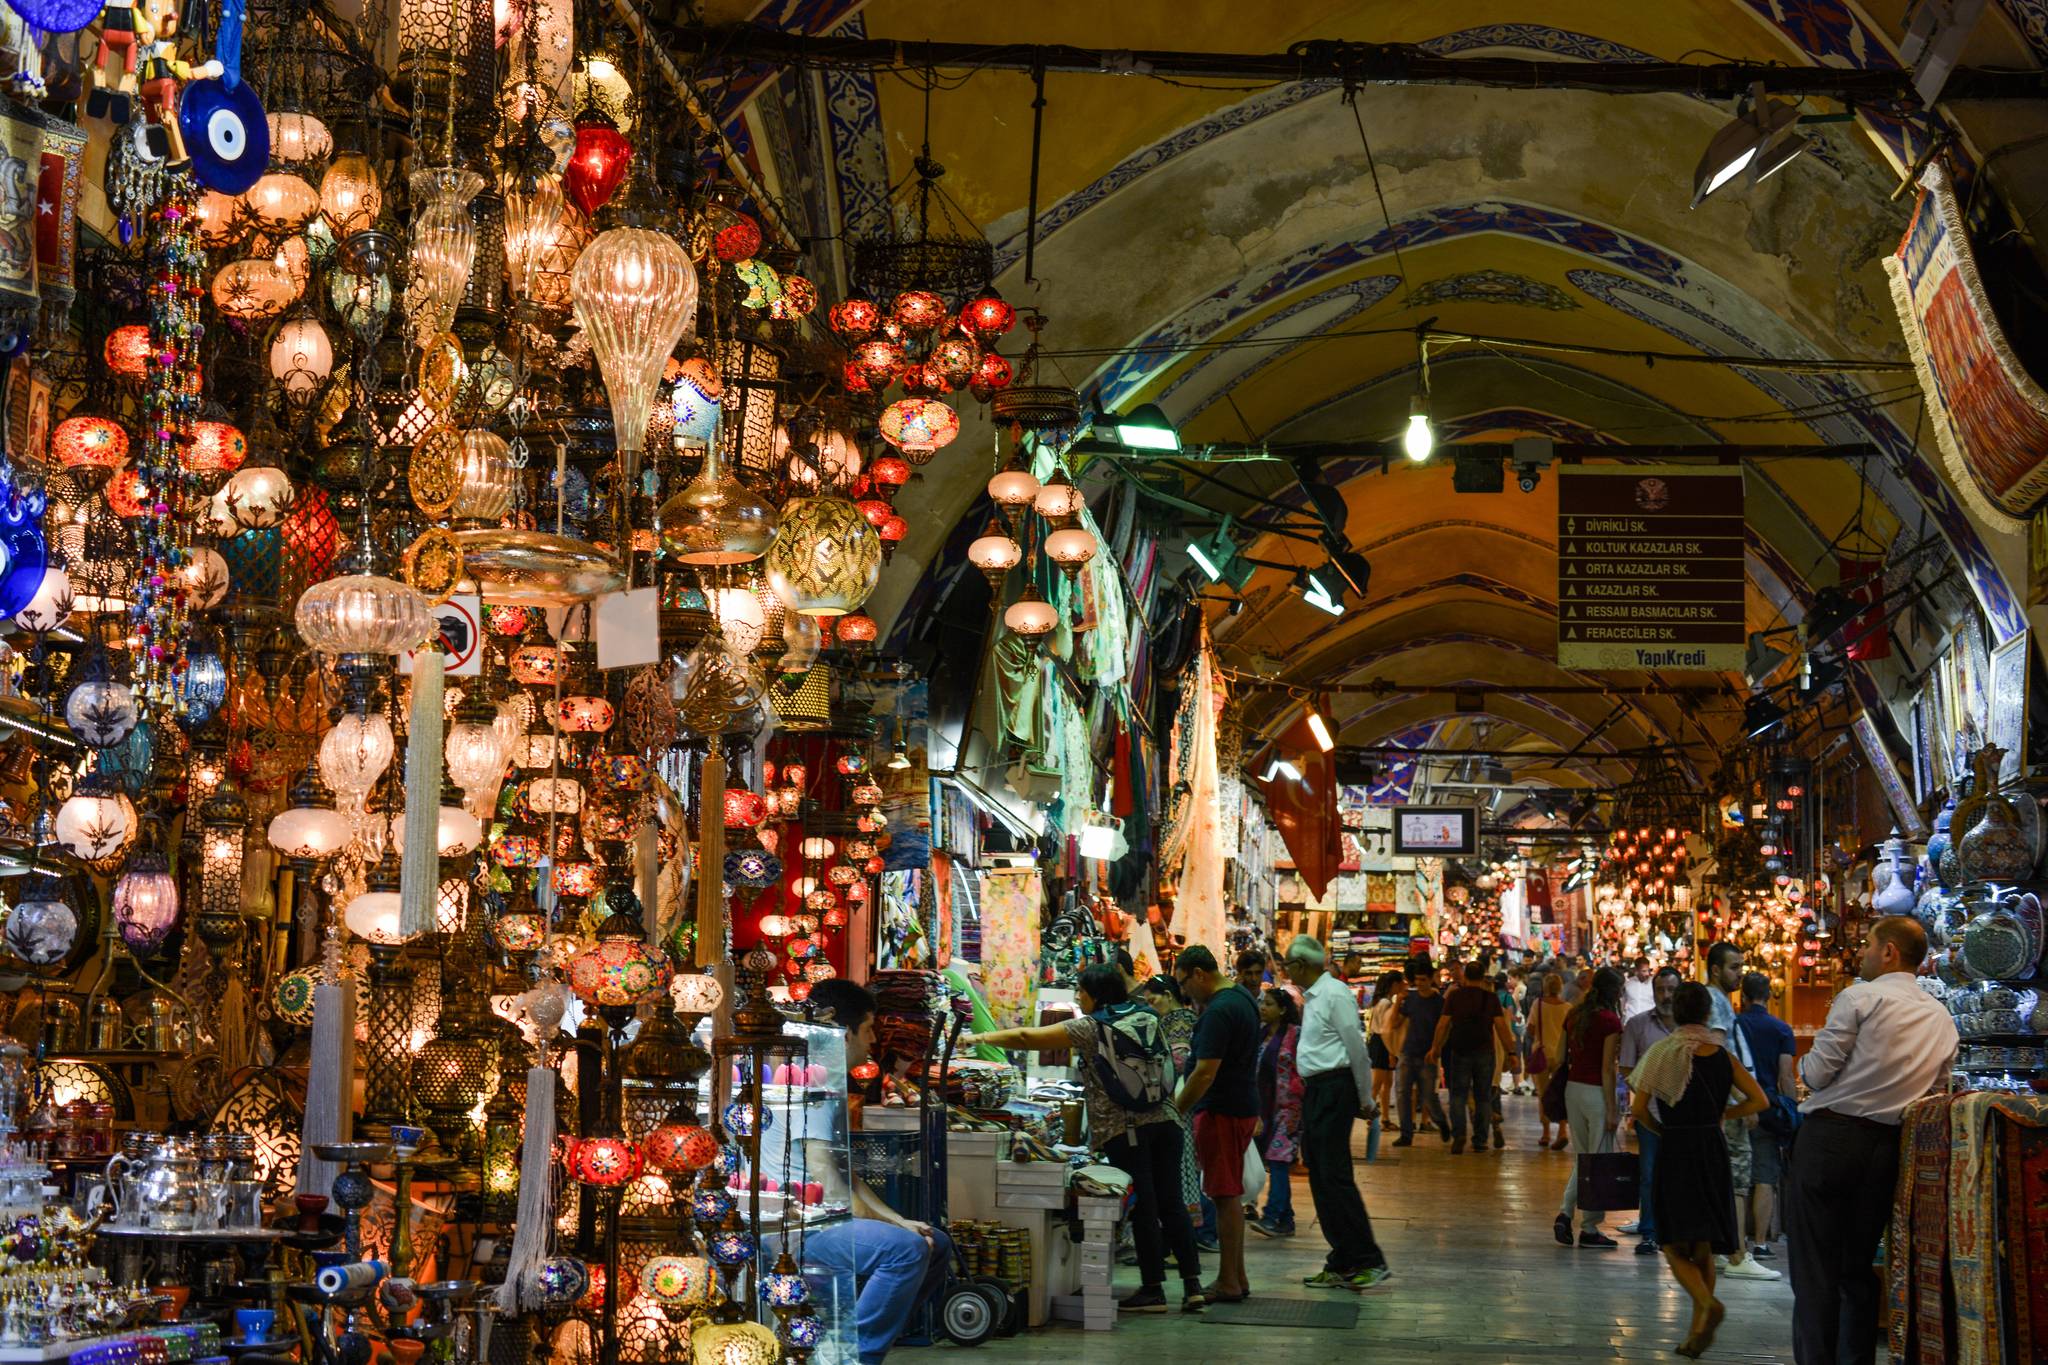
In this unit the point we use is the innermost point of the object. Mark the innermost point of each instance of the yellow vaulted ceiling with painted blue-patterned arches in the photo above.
(1236, 255)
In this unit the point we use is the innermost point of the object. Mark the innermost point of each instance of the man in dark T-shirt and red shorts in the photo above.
(1222, 1094)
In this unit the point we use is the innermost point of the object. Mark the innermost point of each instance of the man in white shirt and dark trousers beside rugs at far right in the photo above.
(1885, 1045)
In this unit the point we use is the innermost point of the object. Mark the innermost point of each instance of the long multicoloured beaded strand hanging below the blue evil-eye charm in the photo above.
(171, 408)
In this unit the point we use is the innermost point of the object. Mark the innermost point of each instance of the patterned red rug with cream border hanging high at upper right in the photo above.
(1990, 416)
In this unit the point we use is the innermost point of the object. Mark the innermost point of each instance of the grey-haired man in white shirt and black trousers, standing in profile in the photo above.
(1336, 1092)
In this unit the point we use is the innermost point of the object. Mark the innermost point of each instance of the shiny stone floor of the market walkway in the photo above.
(1478, 1278)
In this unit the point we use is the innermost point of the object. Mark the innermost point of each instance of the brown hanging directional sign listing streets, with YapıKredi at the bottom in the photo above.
(1650, 568)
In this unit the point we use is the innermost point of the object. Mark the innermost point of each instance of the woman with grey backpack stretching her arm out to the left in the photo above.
(1127, 1084)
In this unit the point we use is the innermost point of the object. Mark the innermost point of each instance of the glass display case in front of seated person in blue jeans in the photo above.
(787, 1106)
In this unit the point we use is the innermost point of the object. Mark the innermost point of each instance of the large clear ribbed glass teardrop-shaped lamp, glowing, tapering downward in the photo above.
(636, 298)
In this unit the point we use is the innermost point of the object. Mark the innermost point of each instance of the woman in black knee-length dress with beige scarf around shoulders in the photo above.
(1680, 1092)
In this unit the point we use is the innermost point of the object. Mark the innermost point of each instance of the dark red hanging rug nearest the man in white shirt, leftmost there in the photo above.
(1916, 1268)
